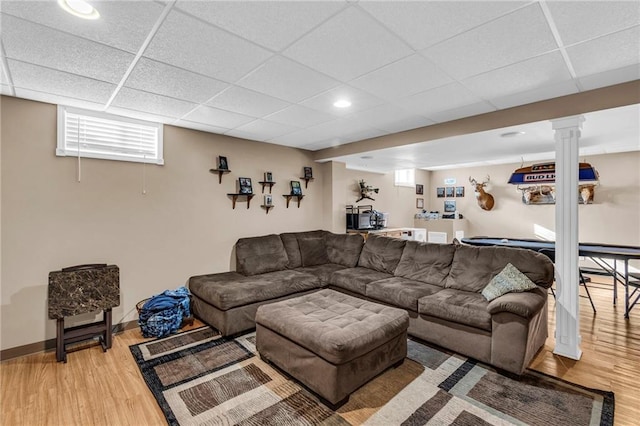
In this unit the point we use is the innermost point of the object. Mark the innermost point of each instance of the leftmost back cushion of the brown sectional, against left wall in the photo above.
(257, 255)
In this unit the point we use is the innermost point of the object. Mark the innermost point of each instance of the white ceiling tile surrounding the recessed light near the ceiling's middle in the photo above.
(360, 100)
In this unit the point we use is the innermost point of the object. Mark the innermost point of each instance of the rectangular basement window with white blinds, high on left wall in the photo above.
(92, 134)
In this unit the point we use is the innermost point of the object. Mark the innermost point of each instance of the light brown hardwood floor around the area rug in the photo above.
(96, 388)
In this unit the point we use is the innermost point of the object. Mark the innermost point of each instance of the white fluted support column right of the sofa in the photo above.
(567, 135)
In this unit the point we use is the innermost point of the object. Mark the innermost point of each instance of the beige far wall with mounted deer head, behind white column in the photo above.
(614, 218)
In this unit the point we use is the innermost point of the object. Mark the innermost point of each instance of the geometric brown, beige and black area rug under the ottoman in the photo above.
(200, 378)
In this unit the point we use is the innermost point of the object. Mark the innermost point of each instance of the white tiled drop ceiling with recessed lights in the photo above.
(271, 71)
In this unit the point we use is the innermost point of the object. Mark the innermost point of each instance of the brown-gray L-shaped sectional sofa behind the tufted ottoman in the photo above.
(439, 285)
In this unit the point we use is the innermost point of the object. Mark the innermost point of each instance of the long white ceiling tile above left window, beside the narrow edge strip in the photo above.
(33, 77)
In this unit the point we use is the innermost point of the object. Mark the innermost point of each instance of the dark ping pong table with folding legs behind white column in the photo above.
(599, 253)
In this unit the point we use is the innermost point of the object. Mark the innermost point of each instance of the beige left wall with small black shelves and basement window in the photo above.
(183, 226)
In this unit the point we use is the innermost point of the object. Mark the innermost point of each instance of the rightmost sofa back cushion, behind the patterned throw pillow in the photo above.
(473, 267)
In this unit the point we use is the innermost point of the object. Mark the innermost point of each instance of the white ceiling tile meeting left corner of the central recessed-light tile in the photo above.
(245, 101)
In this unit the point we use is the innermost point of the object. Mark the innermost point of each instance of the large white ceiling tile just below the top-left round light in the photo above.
(33, 43)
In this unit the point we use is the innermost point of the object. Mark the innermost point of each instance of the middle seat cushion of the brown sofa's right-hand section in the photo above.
(400, 292)
